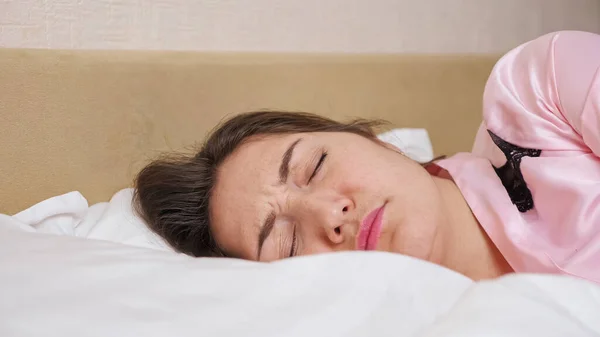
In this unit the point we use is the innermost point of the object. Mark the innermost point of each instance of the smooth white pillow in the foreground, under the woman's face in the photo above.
(67, 286)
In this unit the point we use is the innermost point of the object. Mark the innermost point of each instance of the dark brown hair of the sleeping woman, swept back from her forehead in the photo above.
(172, 194)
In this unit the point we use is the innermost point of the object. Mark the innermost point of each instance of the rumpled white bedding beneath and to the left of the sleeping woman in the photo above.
(59, 279)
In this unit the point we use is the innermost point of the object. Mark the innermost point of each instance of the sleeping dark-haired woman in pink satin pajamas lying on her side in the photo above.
(271, 185)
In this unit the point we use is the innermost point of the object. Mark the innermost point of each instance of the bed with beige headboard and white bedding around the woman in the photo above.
(76, 261)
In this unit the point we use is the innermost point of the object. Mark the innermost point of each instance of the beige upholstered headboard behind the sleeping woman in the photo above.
(88, 120)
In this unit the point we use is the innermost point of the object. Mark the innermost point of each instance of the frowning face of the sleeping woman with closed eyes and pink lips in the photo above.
(278, 196)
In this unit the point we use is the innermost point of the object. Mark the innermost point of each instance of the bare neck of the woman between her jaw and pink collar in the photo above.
(466, 247)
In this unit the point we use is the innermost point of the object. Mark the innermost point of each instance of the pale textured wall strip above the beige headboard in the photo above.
(290, 25)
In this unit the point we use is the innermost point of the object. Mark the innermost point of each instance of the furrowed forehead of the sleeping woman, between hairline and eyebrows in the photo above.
(245, 186)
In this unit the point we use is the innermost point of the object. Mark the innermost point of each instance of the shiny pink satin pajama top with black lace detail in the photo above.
(533, 177)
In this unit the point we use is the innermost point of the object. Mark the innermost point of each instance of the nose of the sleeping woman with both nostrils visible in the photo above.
(327, 214)
